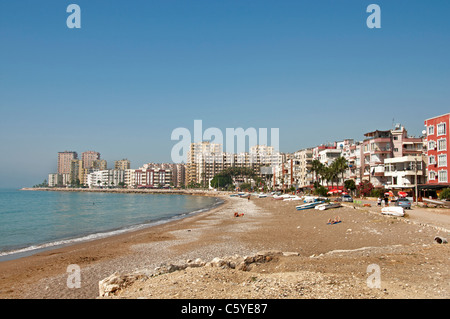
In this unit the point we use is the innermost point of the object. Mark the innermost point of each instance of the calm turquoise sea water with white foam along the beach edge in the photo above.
(31, 221)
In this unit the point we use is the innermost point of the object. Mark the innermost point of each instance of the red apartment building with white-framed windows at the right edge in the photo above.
(438, 151)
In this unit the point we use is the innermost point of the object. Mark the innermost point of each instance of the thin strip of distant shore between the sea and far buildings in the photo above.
(131, 191)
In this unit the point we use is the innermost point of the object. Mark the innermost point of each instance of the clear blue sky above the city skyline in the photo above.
(136, 70)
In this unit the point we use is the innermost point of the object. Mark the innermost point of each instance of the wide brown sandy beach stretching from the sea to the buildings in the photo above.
(320, 260)
